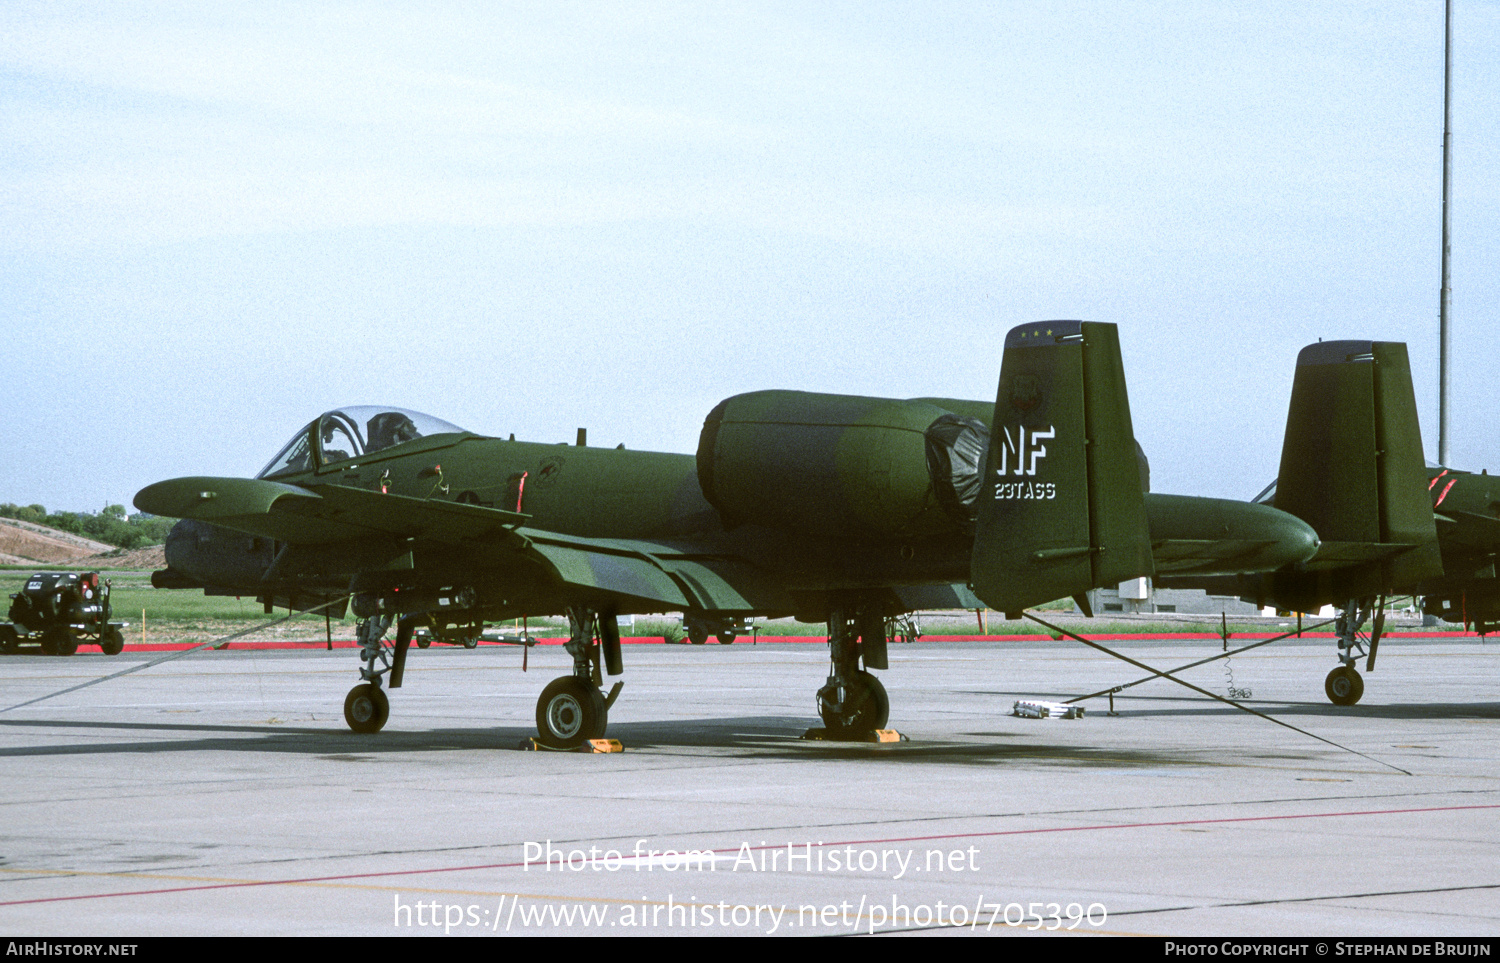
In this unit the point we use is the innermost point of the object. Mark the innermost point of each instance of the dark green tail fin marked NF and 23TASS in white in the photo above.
(1063, 509)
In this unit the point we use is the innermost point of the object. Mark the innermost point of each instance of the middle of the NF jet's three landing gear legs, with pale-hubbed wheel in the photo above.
(572, 709)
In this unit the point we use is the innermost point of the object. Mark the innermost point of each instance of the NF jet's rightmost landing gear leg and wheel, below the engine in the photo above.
(853, 703)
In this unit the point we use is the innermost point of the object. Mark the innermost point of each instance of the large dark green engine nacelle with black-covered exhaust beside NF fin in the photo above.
(839, 464)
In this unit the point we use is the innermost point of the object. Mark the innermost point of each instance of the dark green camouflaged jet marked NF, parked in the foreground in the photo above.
(829, 508)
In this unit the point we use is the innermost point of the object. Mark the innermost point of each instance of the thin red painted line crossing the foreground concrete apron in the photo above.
(821, 845)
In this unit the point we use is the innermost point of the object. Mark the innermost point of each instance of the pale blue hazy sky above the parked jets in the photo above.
(221, 220)
